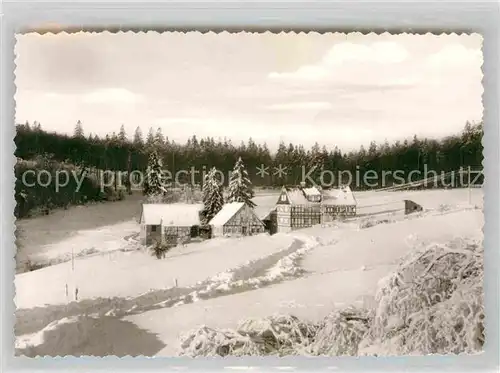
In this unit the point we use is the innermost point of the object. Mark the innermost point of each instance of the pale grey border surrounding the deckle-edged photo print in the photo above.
(348, 15)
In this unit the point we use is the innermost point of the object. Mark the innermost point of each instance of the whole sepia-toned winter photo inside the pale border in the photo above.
(248, 194)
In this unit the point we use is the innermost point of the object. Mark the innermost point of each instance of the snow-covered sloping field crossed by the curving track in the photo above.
(220, 282)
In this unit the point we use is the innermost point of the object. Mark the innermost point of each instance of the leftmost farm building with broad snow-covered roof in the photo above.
(170, 224)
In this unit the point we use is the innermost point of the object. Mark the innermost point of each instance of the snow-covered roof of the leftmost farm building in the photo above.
(174, 214)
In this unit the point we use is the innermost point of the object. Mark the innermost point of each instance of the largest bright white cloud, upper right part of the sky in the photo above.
(345, 53)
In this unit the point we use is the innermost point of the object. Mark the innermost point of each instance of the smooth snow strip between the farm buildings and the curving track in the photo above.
(122, 273)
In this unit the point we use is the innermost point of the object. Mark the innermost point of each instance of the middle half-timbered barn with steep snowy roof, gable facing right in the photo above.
(236, 218)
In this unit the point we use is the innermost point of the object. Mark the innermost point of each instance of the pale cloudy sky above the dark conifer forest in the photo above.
(336, 89)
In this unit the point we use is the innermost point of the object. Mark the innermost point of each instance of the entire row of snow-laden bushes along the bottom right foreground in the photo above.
(432, 304)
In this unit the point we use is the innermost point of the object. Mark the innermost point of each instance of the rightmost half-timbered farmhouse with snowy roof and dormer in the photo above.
(304, 207)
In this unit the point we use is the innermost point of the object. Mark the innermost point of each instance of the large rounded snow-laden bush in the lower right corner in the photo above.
(433, 303)
